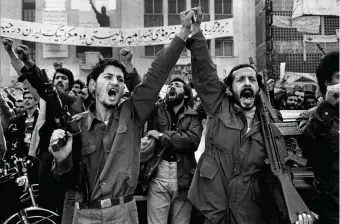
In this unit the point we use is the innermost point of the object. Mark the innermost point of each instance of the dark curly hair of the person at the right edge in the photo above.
(326, 69)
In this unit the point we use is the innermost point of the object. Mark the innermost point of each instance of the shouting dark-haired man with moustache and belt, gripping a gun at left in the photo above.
(109, 142)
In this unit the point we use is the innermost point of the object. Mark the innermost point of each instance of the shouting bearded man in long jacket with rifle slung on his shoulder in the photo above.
(226, 187)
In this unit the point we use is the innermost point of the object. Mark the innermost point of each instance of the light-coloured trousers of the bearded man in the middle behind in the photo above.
(163, 203)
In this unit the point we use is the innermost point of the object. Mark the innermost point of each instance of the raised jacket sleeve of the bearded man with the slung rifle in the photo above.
(206, 82)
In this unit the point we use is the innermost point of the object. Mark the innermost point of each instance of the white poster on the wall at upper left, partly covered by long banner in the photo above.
(54, 18)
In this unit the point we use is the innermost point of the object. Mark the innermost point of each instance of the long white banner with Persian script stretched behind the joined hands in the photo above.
(105, 37)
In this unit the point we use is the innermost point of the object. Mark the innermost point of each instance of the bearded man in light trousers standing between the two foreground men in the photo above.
(177, 130)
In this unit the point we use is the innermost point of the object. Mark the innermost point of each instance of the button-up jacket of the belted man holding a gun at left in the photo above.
(120, 172)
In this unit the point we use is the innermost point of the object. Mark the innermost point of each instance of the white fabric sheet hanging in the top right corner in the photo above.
(315, 7)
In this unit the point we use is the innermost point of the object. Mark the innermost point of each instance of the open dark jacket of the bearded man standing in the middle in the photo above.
(183, 141)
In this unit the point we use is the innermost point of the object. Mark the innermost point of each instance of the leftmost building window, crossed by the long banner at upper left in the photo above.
(28, 14)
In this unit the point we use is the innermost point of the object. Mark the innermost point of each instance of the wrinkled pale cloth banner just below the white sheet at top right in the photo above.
(309, 24)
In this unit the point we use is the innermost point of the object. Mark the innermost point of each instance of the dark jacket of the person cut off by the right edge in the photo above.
(320, 144)
